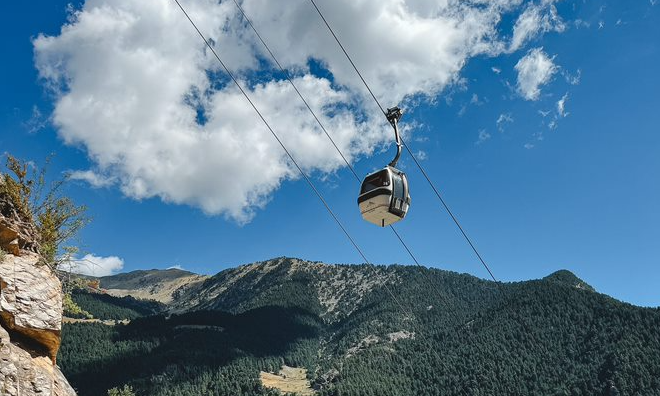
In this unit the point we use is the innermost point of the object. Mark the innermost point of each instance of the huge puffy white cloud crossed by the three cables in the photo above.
(137, 89)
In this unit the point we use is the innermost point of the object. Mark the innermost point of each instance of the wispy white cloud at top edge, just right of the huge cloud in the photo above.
(535, 20)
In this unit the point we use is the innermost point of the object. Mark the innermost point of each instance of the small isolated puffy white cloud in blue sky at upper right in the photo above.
(534, 70)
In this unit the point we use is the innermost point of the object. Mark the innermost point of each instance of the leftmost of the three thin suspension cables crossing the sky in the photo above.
(406, 313)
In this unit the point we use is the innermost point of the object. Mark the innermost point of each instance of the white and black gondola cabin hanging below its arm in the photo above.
(384, 197)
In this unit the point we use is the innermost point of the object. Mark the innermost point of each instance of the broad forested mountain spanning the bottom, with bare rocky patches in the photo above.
(371, 330)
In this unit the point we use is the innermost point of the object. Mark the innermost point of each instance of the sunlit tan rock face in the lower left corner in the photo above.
(31, 322)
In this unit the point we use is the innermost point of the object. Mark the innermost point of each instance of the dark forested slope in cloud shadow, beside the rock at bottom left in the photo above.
(201, 353)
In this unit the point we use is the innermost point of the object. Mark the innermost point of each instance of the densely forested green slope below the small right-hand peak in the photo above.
(536, 338)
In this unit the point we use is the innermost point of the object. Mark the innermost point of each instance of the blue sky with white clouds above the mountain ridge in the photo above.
(547, 187)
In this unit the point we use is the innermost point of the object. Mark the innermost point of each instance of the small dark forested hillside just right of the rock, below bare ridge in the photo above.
(104, 306)
